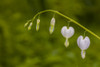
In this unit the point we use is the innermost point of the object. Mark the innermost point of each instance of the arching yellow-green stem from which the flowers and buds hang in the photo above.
(68, 19)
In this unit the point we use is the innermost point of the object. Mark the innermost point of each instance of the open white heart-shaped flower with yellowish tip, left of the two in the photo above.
(67, 33)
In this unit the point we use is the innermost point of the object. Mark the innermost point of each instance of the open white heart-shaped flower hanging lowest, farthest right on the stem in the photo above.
(83, 44)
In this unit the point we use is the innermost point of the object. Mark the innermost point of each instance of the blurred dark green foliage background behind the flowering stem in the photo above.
(22, 48)
